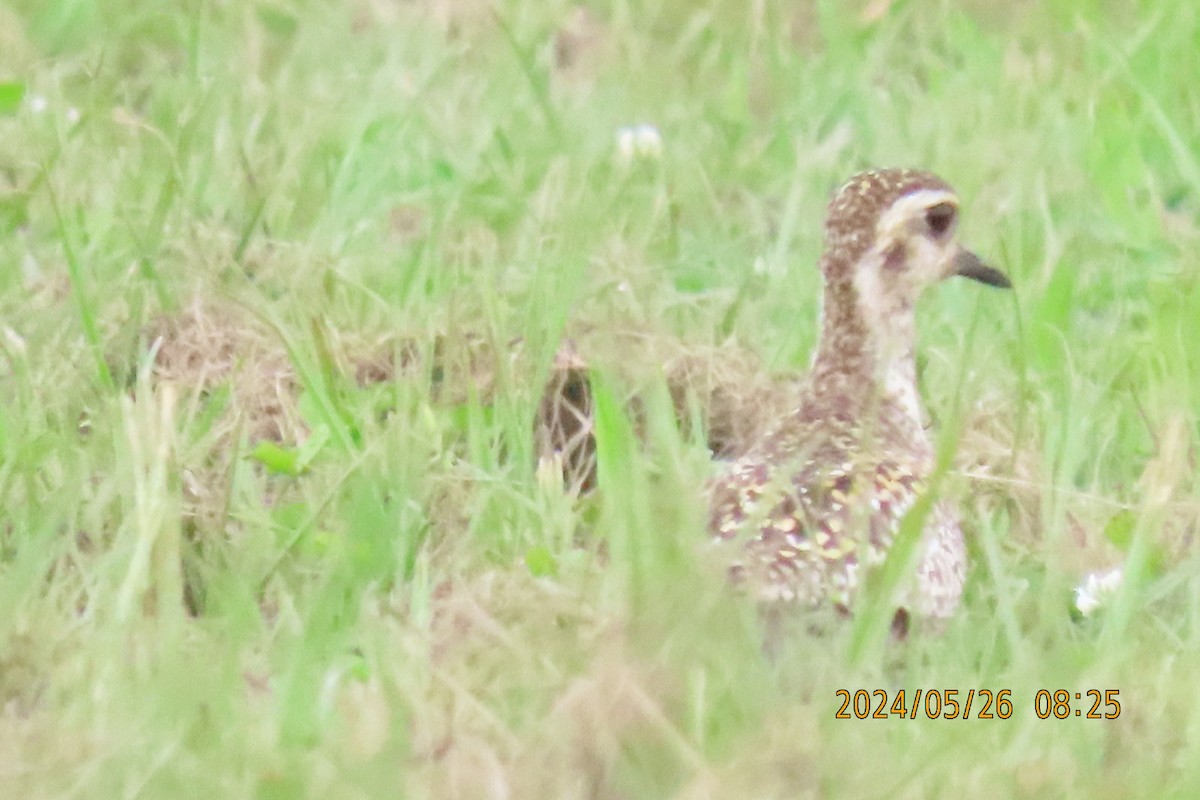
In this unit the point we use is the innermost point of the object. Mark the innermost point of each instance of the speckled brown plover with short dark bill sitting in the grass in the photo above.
(823, 495)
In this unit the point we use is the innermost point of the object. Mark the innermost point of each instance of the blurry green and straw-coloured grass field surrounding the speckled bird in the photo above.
(281, 282)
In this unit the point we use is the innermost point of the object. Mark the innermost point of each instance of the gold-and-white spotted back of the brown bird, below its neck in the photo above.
(817, 502)
